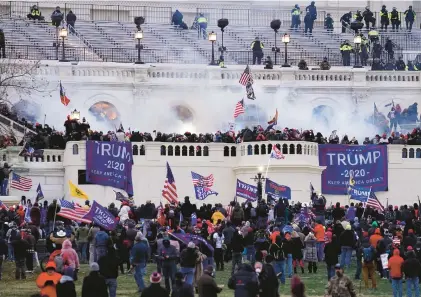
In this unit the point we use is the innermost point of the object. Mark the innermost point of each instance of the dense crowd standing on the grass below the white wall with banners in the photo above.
(187, 244)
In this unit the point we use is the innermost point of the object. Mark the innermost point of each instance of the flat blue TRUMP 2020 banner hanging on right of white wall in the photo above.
(367, 165)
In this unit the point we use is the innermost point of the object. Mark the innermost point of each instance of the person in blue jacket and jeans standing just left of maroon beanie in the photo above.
(139, 258)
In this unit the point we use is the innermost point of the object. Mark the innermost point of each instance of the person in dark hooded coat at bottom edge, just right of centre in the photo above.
(244, 282)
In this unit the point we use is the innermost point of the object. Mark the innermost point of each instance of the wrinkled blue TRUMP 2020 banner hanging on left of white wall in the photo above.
(110, 164)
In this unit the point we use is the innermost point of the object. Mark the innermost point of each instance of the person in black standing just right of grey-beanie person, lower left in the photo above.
(108, 268)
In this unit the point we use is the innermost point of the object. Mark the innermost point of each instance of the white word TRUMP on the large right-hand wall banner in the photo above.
(353, 159)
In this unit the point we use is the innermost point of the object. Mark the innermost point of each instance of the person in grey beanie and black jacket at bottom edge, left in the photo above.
(94, 284)
